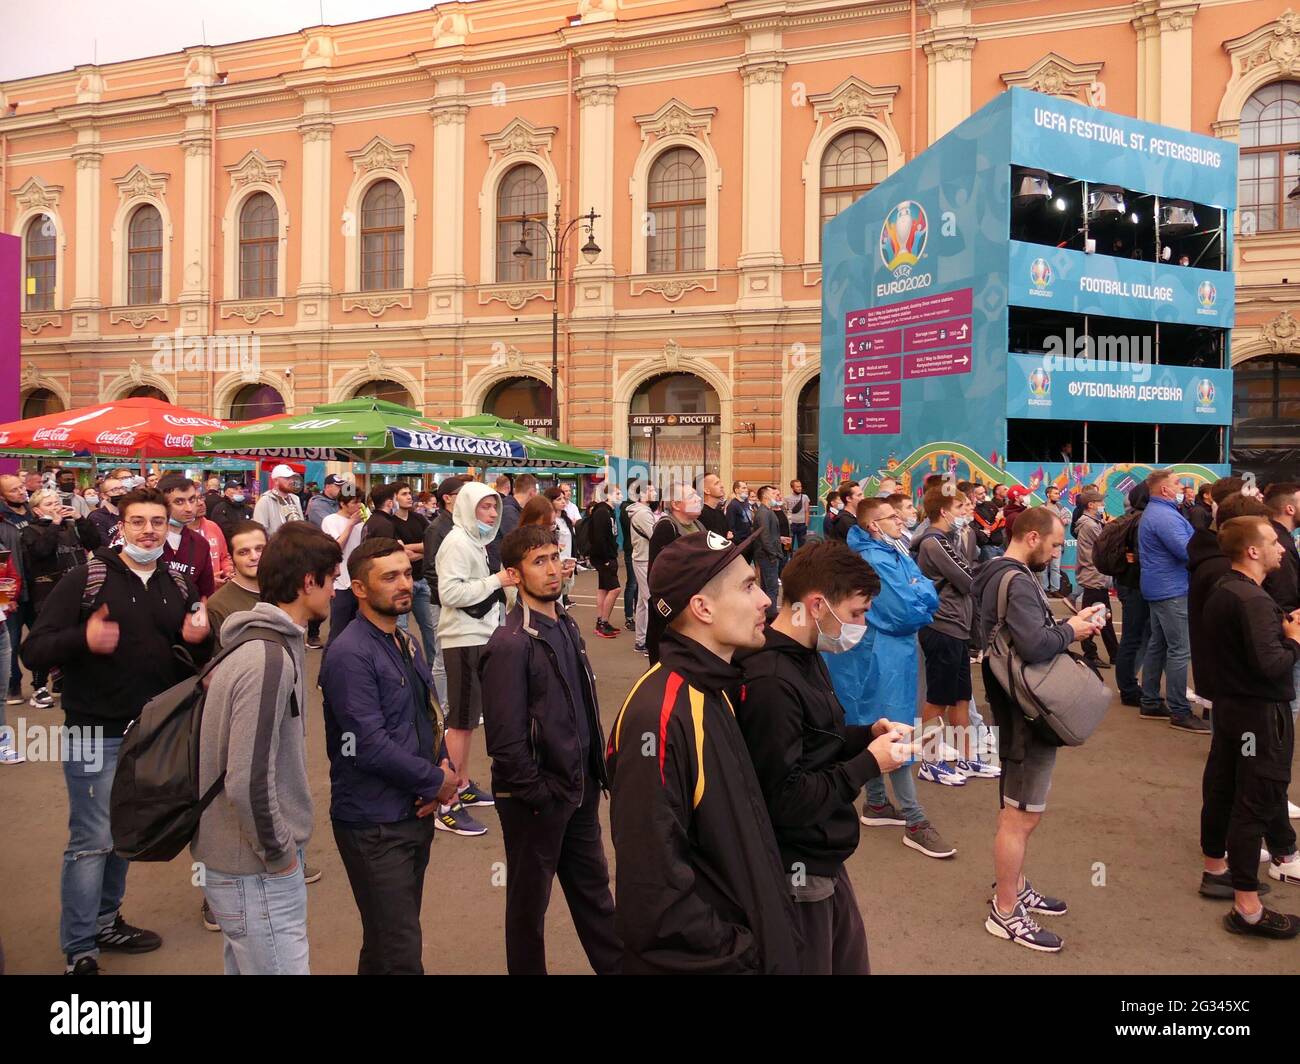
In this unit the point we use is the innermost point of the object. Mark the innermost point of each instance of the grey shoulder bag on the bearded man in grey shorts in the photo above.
(1063, 699)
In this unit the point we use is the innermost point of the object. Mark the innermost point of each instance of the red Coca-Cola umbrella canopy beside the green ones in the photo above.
(120, 429)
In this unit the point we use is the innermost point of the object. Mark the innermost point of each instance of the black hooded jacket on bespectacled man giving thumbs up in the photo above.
(110, 690)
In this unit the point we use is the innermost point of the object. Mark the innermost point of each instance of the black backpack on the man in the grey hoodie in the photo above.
(155, 805)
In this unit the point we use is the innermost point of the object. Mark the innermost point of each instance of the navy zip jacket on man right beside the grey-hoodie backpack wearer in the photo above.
(389, 760)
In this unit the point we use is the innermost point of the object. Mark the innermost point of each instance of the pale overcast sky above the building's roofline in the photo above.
(149, 28)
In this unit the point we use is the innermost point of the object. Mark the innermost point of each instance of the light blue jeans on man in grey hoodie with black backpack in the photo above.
(263, 922)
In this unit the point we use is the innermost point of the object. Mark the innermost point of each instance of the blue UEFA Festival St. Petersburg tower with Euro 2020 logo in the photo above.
(1043, 297)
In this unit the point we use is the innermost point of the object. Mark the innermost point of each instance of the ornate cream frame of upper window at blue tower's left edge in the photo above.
(853, 105)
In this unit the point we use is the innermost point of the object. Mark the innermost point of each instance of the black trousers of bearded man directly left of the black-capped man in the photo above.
(562, 841)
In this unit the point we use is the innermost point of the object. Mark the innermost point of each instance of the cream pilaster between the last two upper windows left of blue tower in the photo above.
(761, 200)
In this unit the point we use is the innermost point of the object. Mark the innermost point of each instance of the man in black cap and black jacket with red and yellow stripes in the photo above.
(700, 885)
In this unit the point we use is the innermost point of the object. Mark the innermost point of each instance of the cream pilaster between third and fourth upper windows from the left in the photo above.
(319, 227)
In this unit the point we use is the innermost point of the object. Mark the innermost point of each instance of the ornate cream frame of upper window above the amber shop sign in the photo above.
(674, 126)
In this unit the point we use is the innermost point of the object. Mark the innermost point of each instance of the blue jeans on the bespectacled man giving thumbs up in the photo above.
(94, 877)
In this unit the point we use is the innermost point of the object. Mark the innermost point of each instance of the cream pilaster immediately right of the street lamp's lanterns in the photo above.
(596, 92)
